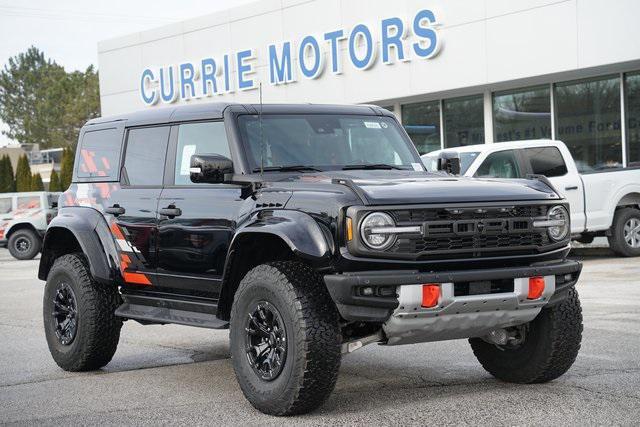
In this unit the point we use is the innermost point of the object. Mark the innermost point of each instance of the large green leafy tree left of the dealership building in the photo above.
(42, 103)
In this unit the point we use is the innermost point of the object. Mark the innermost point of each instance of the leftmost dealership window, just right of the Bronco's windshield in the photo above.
(422, 123)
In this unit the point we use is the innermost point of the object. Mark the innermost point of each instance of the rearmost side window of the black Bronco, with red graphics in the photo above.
(99, 154)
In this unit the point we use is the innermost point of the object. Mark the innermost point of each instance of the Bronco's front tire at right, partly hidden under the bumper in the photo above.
(550, 348)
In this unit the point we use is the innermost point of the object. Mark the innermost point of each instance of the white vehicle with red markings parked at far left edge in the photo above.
(23, 220)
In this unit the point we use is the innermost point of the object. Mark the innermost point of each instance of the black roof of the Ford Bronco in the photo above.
(215, 110)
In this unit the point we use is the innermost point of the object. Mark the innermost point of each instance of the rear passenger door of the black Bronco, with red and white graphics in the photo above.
(134, 205)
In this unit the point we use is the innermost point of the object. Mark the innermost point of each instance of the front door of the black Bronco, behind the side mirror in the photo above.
(196, 221)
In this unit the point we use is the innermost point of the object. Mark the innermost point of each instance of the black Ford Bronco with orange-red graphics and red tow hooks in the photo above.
(308, 231)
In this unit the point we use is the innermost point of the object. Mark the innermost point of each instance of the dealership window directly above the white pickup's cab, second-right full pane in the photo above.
(522, 114)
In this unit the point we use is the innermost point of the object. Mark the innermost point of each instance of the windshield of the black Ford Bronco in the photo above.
(326, 142)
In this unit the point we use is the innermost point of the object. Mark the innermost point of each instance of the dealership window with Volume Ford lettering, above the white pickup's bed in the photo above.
(588, 121)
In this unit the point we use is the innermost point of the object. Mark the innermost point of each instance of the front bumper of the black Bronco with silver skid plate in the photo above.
(455, 316)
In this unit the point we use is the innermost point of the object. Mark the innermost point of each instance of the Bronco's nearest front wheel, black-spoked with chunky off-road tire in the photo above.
(285, 338)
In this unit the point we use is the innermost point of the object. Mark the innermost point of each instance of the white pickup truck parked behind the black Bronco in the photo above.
(603, 202)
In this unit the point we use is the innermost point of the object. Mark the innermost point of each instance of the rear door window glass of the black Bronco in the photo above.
(145, 155)
